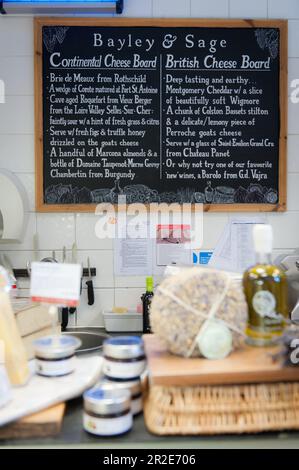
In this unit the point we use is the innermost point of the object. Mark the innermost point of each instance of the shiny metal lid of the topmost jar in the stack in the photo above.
(124, 347)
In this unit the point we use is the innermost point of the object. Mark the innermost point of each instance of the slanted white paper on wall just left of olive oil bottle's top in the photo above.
(234, 250)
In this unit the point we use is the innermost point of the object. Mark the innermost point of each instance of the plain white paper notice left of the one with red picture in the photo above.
(133, 255)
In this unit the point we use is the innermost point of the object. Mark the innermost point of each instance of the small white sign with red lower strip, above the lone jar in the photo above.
(56, 283)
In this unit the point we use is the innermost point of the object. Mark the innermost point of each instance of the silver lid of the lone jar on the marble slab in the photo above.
(56, 346)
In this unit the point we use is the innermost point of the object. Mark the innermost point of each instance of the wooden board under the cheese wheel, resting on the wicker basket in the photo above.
(248, 365)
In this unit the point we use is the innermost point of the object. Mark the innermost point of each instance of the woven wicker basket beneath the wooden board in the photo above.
(227, 409)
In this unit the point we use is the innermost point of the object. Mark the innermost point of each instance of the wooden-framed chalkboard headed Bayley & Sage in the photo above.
(160, 110)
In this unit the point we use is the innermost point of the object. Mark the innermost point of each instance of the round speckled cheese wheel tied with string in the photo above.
(184, 301)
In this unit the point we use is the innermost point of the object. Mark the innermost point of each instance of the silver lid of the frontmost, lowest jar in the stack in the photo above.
(103, 400)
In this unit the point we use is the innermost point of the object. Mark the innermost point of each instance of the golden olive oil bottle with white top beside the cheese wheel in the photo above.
(265, 287)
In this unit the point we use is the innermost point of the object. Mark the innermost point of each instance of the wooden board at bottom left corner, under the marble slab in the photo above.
(43, 424)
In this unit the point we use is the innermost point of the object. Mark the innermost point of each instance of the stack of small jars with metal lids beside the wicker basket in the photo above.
(110, 406)
